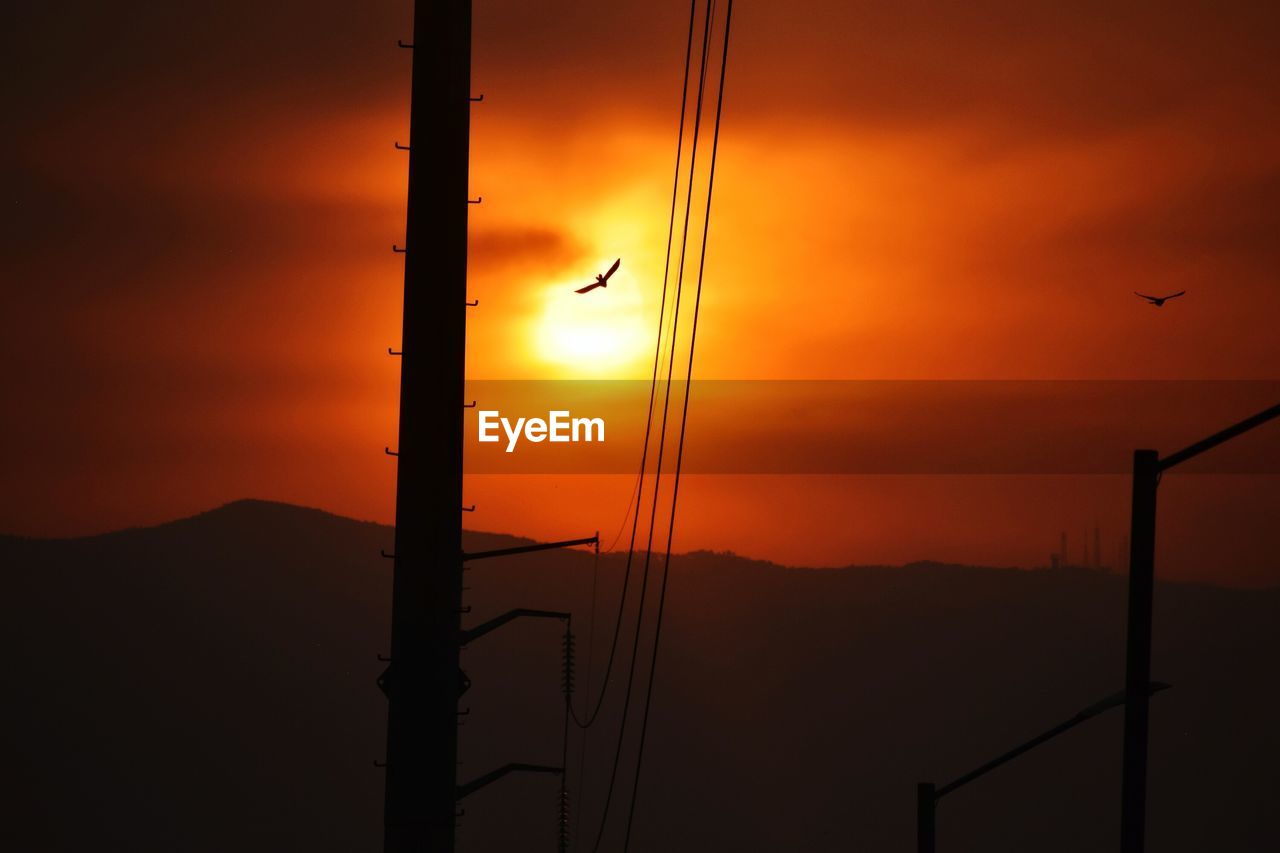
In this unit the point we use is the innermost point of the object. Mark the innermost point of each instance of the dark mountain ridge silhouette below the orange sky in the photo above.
(208, 685)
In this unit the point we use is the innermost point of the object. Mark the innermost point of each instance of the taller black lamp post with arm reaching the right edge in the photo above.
(1148, 468)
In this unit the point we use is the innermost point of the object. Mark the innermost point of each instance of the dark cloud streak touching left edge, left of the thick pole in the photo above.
(89, 244)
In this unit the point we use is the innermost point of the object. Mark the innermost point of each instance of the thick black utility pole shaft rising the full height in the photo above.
(423, 681)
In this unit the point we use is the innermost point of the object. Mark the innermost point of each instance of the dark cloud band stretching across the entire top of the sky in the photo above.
(1080, 67)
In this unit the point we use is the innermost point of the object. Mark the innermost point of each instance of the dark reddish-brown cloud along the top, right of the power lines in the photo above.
(1025, 66)
